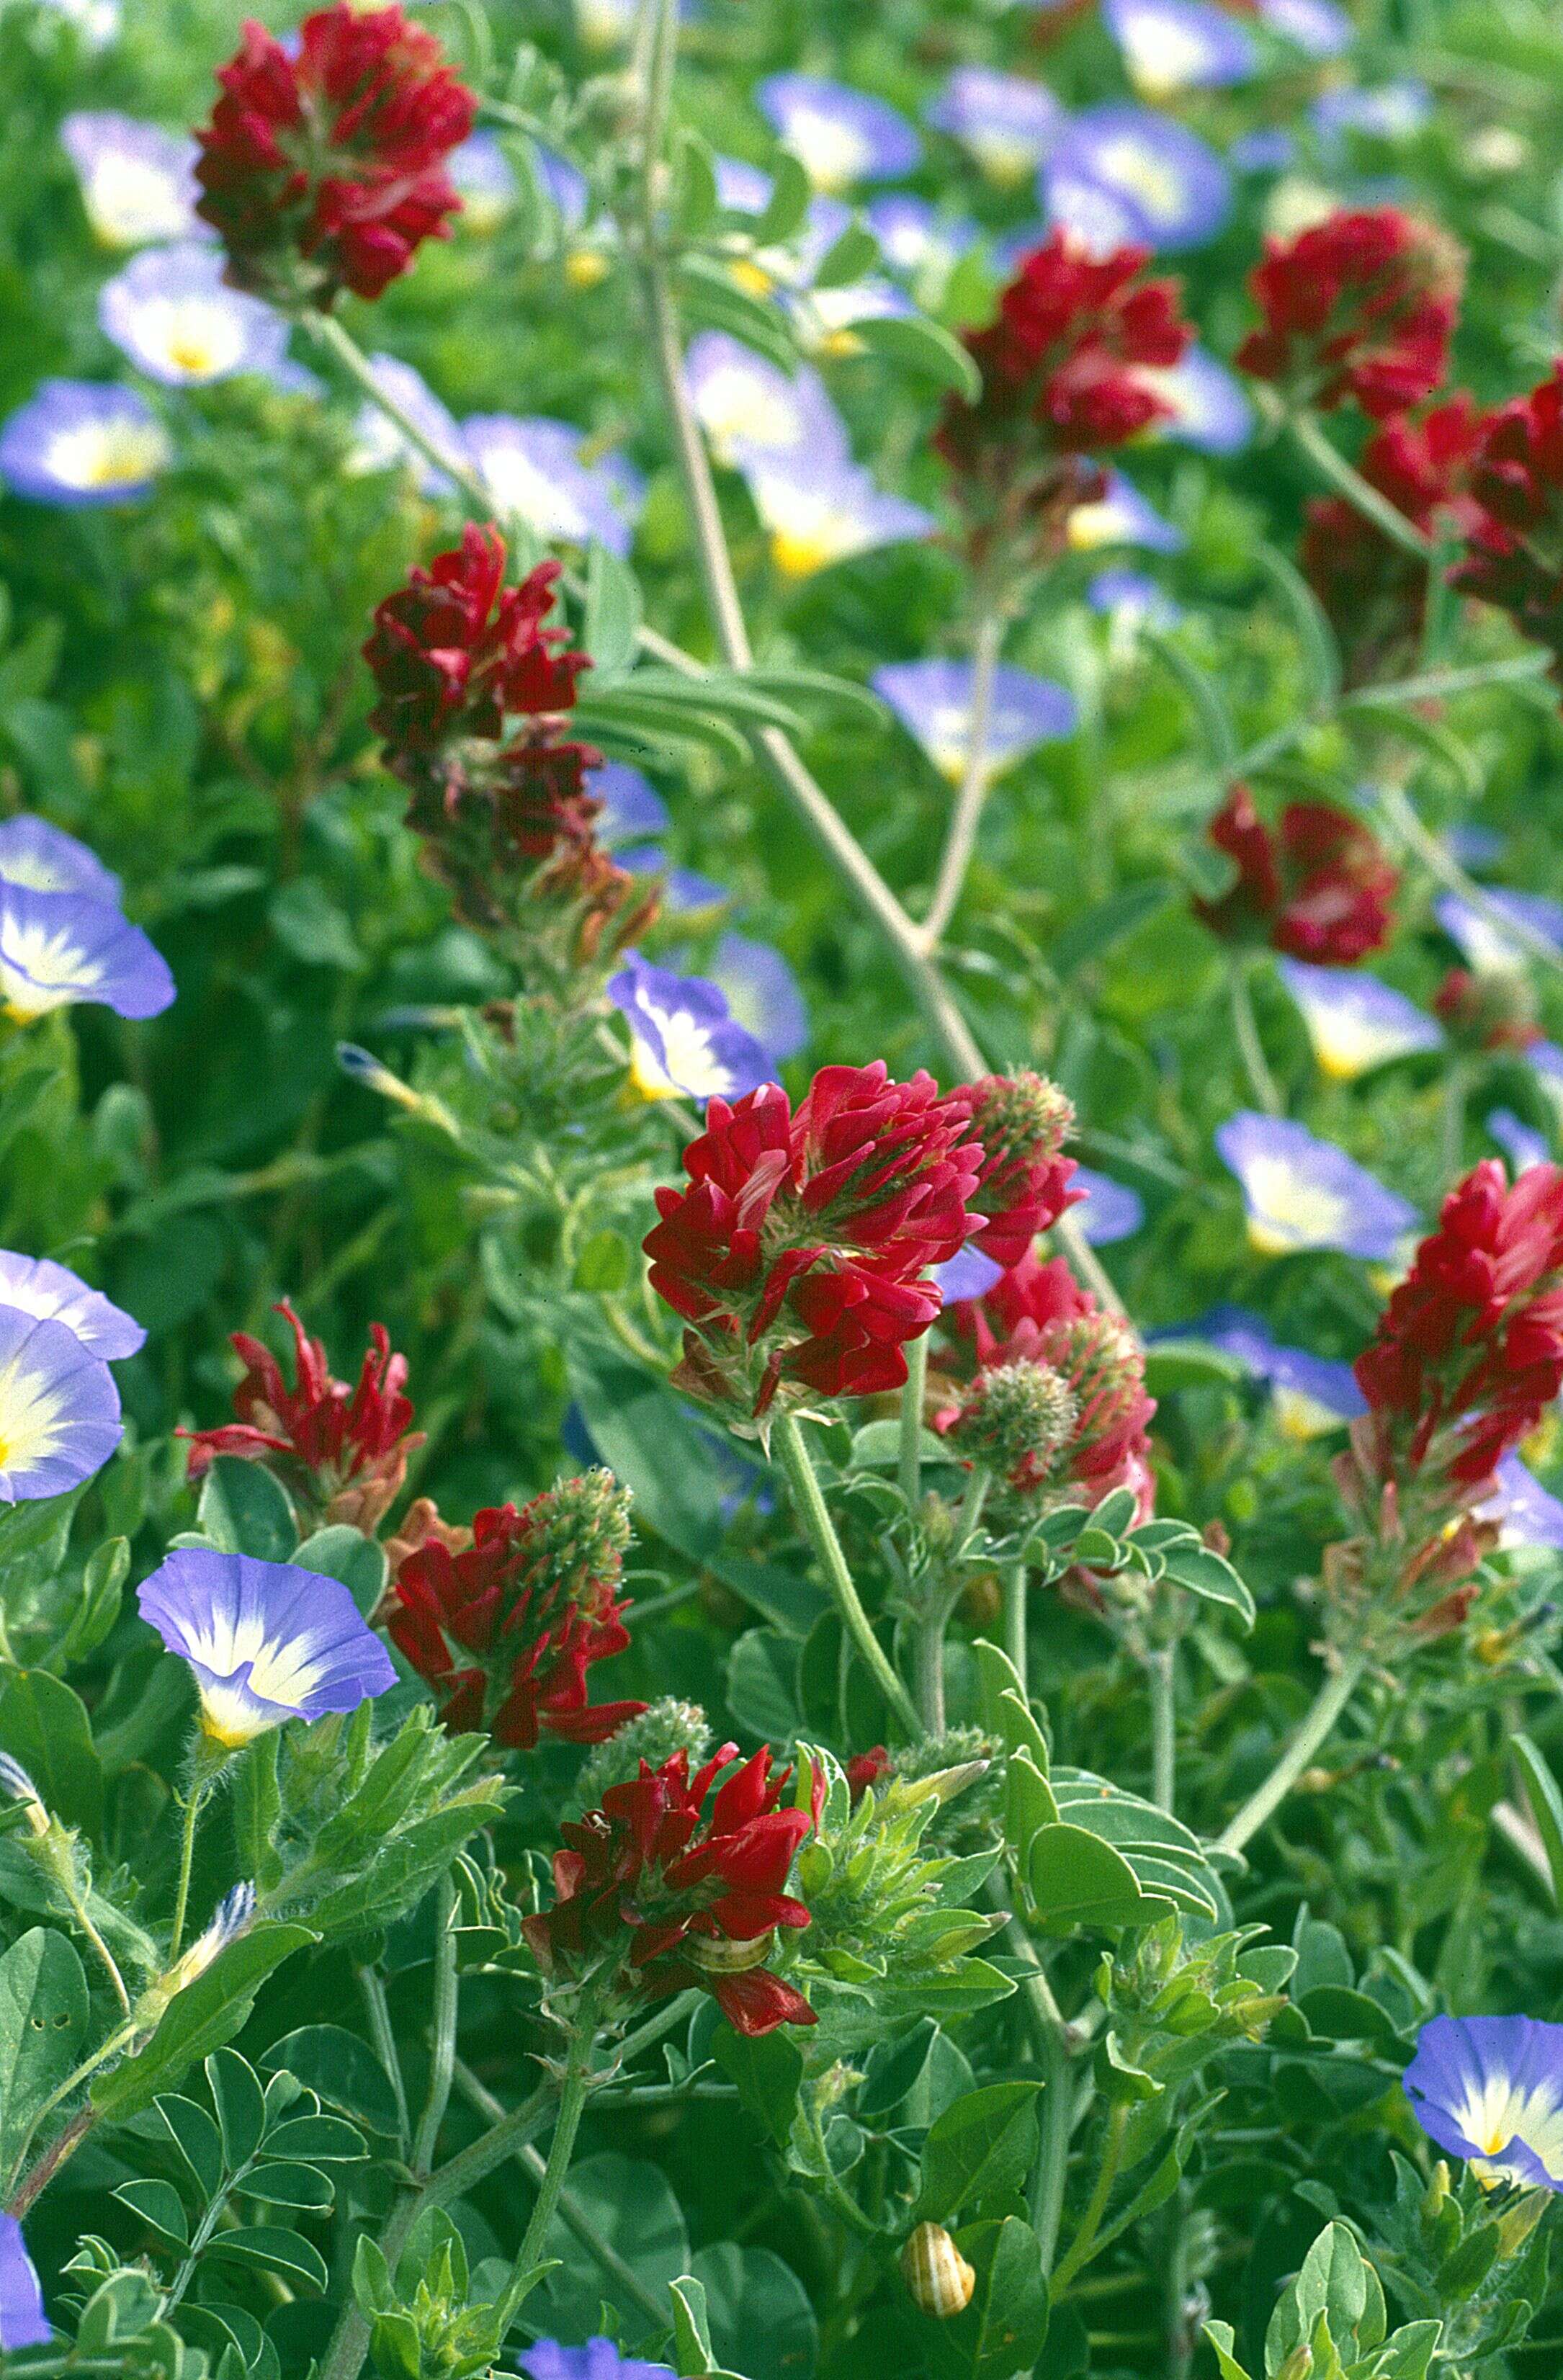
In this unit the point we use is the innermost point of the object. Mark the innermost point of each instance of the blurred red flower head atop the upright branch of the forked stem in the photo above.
(1060, 384)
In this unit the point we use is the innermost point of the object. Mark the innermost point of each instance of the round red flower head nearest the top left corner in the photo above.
(327, 170)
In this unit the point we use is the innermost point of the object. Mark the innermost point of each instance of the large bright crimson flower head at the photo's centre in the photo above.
(801, 1251)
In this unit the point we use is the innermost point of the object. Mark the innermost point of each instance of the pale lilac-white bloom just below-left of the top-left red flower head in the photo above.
(172, 313)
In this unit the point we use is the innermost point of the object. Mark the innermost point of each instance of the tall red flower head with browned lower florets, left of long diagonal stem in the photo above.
(475, 696)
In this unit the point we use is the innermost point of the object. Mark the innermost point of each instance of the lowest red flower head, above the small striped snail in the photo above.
(655, 1896)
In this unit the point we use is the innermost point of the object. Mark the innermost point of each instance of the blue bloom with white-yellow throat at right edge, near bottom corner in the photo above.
(1490, 2088)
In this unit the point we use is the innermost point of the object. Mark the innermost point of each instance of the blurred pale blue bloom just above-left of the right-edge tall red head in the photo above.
(1307, 1194)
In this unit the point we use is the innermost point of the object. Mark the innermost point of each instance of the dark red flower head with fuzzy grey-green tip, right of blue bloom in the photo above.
(508, 1627)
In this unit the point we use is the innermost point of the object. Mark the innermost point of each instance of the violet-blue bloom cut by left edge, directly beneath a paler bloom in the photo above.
(58, 1408)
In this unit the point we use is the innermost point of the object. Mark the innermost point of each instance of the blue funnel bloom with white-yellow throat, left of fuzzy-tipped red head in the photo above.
(265, 1641)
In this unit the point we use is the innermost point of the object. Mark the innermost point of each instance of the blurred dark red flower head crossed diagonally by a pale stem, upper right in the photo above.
(1371, 589)
